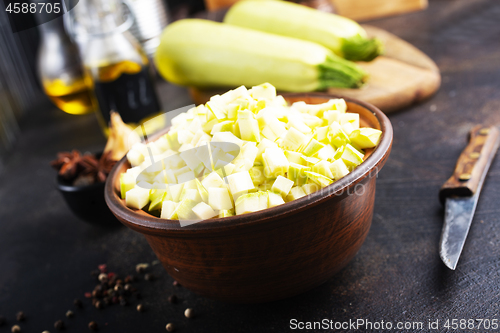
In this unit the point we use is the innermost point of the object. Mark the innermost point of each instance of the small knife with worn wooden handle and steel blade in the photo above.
(460, 193)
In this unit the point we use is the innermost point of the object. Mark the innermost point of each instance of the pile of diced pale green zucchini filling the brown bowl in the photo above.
(242, 152)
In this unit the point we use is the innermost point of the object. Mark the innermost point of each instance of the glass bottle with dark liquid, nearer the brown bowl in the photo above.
(116, 67)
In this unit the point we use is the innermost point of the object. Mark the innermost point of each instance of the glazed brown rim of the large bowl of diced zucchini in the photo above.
(147, 223)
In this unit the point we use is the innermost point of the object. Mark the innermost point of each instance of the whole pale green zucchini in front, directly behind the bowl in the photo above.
(204, 53)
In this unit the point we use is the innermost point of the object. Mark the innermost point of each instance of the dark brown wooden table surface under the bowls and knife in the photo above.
(46, 253)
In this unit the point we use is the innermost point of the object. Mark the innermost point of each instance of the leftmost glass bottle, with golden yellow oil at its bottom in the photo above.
(60, 69)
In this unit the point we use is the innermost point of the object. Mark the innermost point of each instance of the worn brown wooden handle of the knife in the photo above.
(473, 163)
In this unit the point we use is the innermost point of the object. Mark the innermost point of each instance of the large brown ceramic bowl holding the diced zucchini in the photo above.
(275, 253)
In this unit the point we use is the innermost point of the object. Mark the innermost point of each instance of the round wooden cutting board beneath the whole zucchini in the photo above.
(402, 77)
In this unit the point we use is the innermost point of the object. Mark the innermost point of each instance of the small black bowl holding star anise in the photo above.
(87, 202)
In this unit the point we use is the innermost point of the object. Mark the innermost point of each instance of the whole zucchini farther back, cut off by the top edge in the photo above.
(343, 36)
